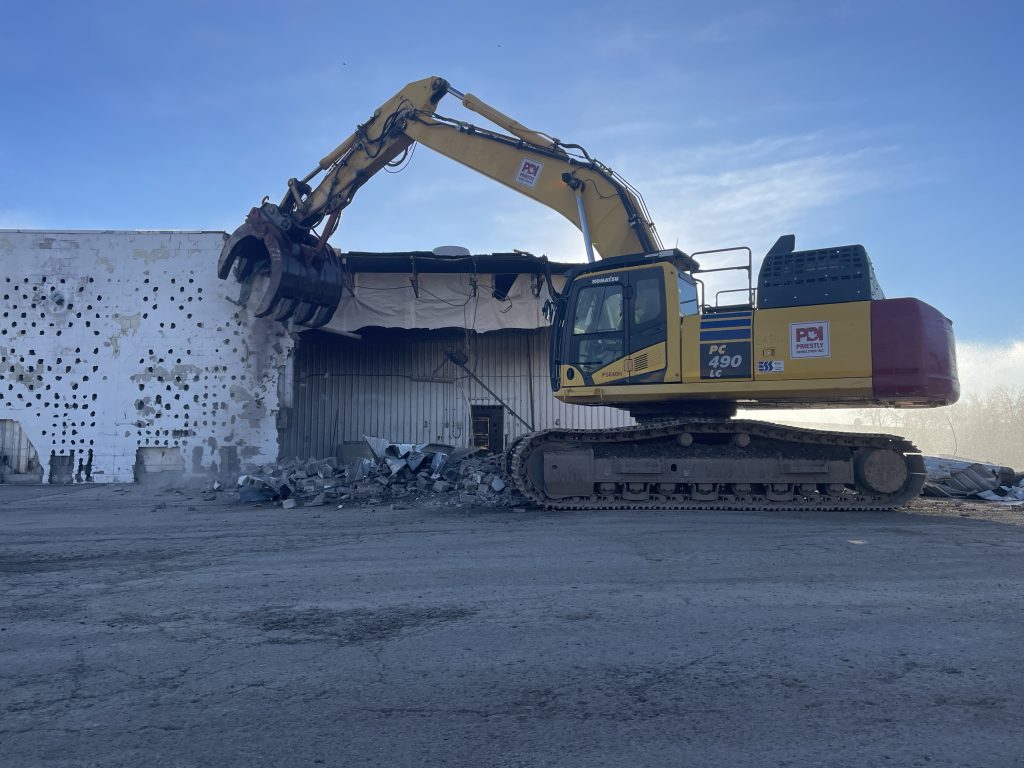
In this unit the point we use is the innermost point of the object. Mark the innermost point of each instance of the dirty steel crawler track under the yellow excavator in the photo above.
(709, 464)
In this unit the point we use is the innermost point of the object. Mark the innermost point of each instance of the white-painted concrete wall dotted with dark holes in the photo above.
(119, 340)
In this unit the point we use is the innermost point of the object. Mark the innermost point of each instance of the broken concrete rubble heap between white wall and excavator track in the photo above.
(388, 473)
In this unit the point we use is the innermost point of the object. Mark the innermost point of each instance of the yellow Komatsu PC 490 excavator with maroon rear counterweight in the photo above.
(638, 330)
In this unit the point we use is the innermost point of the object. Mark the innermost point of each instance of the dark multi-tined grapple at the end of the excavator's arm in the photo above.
(284, 274)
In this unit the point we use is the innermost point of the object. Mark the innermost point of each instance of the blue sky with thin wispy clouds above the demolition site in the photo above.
(891, 124)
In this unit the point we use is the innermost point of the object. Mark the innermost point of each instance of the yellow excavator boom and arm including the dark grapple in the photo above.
(301, 276)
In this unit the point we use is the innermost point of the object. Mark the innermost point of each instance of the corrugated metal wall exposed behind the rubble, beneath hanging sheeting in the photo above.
(403, 389)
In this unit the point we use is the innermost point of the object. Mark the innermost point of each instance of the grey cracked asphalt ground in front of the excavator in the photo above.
(158, 629)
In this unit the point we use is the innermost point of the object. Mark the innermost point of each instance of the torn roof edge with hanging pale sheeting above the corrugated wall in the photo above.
(425, 290)
